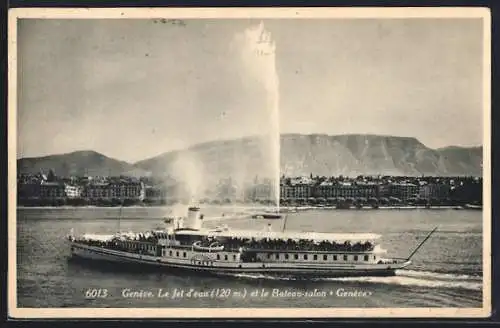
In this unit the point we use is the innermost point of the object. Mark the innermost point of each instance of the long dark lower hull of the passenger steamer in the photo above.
(90, 253)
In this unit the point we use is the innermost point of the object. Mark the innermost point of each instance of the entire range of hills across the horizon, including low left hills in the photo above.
(248, 157)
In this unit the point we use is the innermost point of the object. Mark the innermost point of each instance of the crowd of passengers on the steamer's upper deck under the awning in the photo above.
(290, 244)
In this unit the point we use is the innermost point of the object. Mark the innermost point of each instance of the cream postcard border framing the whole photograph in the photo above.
(248, 13)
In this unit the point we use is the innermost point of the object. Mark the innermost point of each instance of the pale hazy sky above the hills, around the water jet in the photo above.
(133, 89)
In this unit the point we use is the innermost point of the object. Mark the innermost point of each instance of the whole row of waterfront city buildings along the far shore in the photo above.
(35, 188)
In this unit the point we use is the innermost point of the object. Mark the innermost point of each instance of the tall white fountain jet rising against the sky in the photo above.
(258, 54)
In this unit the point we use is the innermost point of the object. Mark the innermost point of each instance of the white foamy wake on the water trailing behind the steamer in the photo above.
(426, 279)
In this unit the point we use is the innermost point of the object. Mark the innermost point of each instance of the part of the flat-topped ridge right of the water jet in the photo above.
(371, 154)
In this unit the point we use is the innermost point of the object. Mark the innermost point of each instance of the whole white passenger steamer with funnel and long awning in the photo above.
(187, 245)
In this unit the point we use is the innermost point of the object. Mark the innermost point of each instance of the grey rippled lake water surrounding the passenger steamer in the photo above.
(446, 272)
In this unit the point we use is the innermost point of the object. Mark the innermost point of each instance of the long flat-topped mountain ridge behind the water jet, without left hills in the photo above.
(327, 155)
